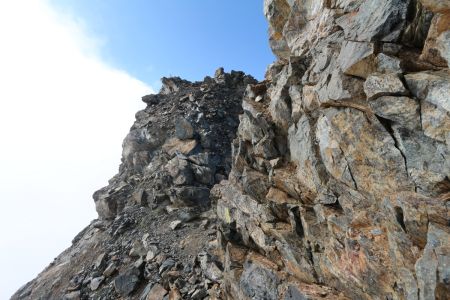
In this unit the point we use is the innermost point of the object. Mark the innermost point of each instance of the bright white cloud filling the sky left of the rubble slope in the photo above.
(63, 115)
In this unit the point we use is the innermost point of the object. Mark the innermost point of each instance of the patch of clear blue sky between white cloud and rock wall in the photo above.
(190, 39)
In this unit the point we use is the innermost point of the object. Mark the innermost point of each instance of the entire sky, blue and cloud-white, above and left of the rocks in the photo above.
(72, 73)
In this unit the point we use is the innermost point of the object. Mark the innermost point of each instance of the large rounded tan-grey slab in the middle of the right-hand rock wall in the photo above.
(336, 140)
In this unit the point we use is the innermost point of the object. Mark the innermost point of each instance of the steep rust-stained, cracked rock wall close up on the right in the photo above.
(340, 179)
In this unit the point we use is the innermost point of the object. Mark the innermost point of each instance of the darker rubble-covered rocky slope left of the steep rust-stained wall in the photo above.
(156, 231)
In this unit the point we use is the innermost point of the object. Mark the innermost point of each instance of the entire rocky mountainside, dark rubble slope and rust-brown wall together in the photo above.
(330, 179)
